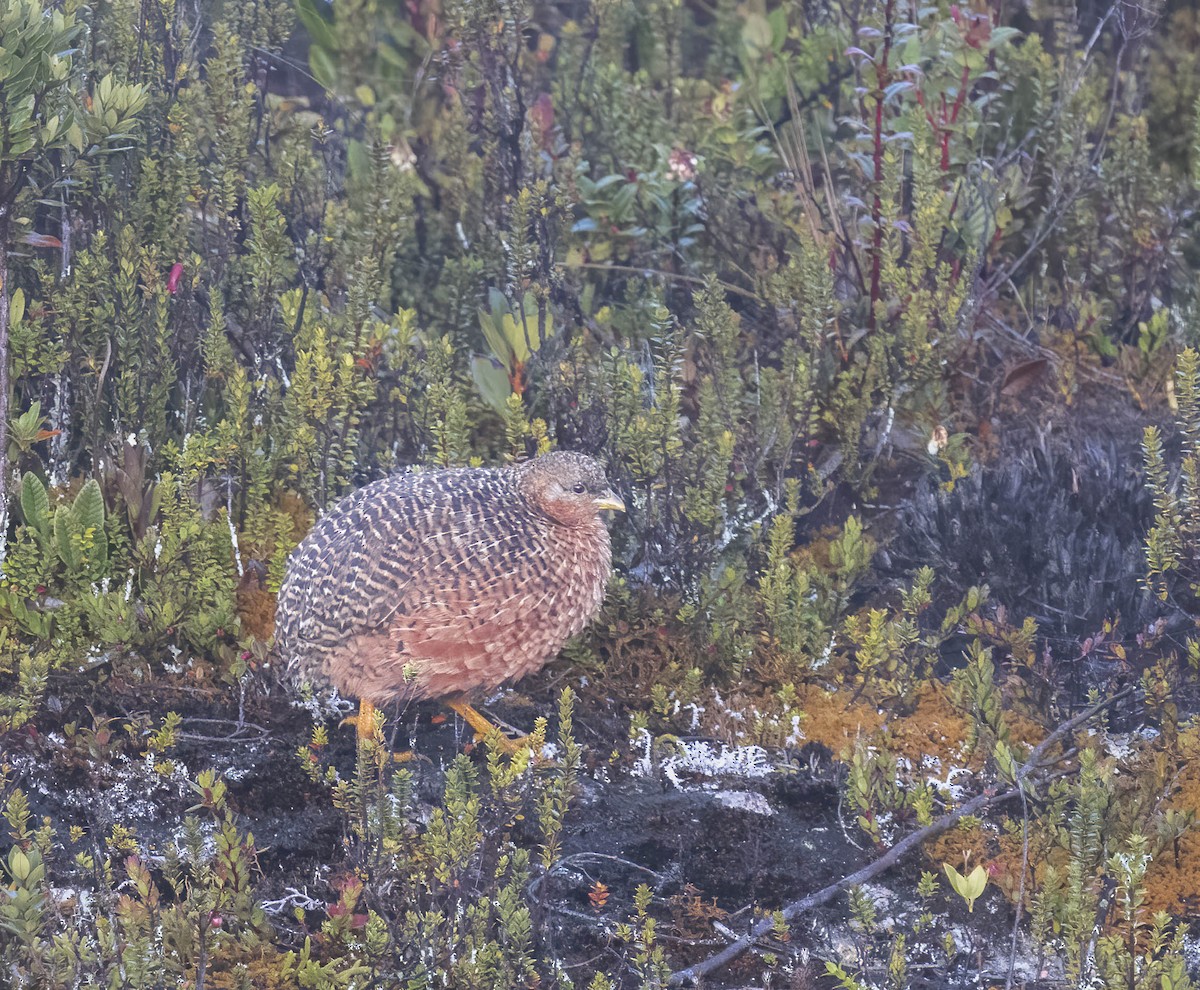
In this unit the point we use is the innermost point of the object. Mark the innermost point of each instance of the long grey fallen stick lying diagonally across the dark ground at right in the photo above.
(902, 849)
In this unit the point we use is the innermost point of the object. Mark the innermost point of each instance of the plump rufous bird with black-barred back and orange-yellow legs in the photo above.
(437, 585)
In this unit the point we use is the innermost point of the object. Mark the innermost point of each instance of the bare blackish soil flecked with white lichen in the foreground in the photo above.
(718, 851)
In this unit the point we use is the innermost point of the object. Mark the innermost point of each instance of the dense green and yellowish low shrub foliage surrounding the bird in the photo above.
(764, 259)
